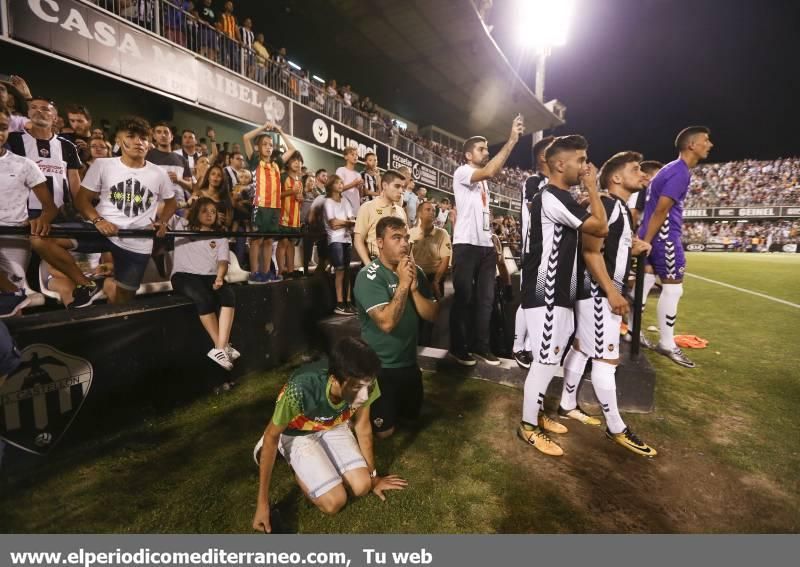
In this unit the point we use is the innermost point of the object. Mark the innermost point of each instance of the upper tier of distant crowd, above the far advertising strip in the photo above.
(745, 183)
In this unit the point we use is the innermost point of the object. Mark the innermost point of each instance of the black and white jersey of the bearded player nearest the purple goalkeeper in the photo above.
(616, 249)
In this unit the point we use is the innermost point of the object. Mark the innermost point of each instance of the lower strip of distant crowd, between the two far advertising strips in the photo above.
(752, 235)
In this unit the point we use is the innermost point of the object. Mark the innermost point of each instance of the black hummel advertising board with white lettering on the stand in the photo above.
(333, 136)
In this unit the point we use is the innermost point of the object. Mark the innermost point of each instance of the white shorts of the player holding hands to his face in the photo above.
(549, 331)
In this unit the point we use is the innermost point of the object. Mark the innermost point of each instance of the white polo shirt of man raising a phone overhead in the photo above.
(472, 203)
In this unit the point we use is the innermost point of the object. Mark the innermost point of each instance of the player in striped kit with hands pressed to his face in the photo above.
(549, 284)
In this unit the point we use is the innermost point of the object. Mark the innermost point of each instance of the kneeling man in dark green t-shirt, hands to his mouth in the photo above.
(392, 294)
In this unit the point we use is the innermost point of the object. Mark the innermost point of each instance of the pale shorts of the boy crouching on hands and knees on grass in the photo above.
(320, 459)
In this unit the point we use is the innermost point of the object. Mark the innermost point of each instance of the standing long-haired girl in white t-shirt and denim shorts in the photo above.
(339, 222)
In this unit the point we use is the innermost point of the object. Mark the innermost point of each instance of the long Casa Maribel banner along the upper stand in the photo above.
(91, 36)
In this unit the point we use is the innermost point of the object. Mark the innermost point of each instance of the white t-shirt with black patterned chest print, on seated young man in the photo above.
(128, 197)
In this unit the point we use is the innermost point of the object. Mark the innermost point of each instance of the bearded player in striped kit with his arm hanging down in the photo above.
(601, 305)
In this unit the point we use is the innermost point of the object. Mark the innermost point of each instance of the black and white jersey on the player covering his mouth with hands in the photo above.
(549, 271)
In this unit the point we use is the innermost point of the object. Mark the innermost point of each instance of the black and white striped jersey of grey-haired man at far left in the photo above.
(54, 157)
